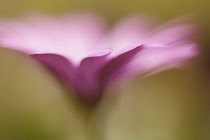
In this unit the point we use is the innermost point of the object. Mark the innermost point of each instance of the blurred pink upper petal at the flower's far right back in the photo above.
(172, 32)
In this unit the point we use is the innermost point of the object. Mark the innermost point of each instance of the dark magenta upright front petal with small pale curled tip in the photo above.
(87, 84)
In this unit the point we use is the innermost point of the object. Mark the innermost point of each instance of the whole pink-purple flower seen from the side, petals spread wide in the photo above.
(87, 57)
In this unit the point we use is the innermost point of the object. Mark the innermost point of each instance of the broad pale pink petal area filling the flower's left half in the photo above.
(71, 36)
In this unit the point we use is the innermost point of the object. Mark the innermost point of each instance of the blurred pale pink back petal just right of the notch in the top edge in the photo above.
(129, 32)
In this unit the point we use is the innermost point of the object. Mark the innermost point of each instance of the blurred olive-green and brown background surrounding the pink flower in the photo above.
(171, 105)
